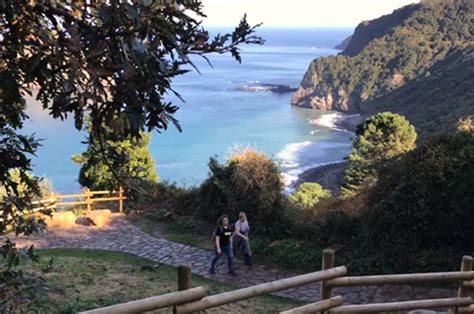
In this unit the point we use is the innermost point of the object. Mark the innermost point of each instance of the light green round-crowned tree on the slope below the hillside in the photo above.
(381, 139)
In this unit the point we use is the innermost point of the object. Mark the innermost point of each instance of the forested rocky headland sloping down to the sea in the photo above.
(417, 61)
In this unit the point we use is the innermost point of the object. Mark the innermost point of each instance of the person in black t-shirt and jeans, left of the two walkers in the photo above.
(223, 243)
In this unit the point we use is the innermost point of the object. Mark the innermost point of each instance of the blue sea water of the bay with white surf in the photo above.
(218, 115)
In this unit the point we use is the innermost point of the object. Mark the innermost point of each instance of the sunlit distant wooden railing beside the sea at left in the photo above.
(88, 198)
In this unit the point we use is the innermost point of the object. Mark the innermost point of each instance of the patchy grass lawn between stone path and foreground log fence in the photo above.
(86, 279)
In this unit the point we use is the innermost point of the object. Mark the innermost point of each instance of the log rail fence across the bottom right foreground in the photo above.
(330, 276)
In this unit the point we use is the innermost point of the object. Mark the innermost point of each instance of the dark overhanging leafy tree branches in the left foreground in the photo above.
(113, 60)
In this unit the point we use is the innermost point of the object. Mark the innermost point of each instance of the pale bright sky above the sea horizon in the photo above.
(298, 13)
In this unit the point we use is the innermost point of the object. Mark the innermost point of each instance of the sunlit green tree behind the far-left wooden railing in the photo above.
(130, 160)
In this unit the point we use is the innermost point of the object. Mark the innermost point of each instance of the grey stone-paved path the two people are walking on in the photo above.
(121, 236)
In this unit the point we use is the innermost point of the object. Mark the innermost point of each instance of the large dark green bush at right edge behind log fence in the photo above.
(423, 205)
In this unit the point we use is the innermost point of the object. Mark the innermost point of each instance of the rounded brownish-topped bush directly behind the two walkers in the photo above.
(249, 181)
